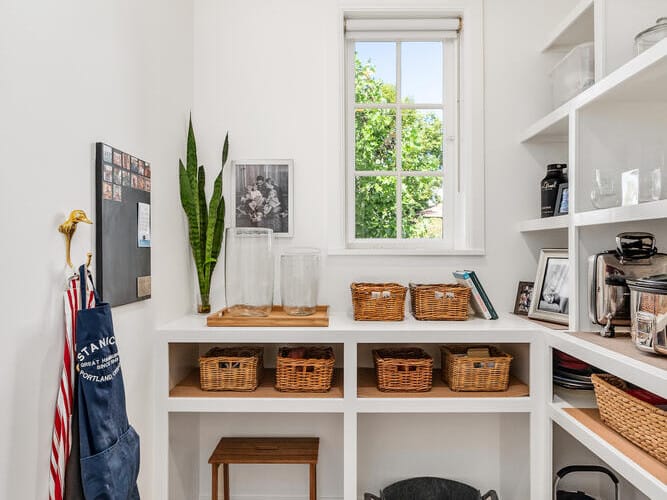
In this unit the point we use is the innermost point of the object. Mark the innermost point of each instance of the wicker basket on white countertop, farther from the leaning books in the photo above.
(378, 301)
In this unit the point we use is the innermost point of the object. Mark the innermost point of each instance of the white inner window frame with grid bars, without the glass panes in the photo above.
(448, 105)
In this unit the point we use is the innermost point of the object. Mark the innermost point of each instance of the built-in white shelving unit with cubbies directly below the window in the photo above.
(354, 393)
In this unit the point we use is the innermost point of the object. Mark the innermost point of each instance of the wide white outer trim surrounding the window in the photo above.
(469, 237)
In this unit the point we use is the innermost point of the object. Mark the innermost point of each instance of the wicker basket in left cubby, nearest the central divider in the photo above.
(311, 373)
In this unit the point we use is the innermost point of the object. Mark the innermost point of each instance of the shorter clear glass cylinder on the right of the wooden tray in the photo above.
(300, 280)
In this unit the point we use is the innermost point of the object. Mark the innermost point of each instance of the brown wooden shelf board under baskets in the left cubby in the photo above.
(189, 388)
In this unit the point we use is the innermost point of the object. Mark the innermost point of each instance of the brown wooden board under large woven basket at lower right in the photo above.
(590, 418)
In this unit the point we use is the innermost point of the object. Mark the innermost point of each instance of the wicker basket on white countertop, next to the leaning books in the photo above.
(440, 302)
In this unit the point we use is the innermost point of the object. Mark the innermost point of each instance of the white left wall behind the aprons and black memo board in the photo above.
(72, 73)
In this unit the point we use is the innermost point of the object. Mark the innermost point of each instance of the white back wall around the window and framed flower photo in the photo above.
(269, 73)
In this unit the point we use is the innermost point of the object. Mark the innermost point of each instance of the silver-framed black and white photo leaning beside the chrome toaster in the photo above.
(551, 294)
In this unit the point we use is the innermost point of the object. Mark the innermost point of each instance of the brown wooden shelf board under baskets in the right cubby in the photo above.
(367, 389)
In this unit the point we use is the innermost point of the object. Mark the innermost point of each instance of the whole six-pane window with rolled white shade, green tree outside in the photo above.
(402, 134)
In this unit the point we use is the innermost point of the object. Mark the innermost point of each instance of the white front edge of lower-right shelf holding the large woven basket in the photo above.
(601, 445)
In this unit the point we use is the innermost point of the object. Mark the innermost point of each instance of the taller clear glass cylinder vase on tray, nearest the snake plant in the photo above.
(249, 271)
